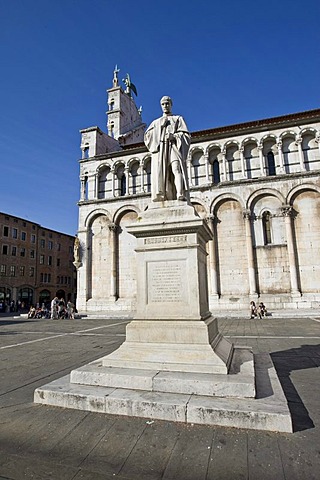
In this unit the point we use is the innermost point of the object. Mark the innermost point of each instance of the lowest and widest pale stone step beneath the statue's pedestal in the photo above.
(268, 411)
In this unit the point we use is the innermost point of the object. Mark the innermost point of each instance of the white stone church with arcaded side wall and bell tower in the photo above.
(257, 184)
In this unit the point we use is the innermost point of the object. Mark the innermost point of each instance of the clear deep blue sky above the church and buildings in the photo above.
(222, 62)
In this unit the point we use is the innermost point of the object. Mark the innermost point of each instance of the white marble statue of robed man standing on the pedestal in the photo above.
(168, 139)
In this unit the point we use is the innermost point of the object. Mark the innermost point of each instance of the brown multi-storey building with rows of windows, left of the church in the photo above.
(36, 264)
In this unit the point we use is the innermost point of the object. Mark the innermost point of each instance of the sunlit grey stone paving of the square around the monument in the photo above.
(41, 442)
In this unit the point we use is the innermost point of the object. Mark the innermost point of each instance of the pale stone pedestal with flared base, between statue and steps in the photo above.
(174, 330)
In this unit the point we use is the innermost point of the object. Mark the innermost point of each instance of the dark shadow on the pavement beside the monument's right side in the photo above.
(286, 362)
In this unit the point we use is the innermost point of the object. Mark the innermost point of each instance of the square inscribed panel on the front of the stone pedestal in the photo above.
(167, 281)
